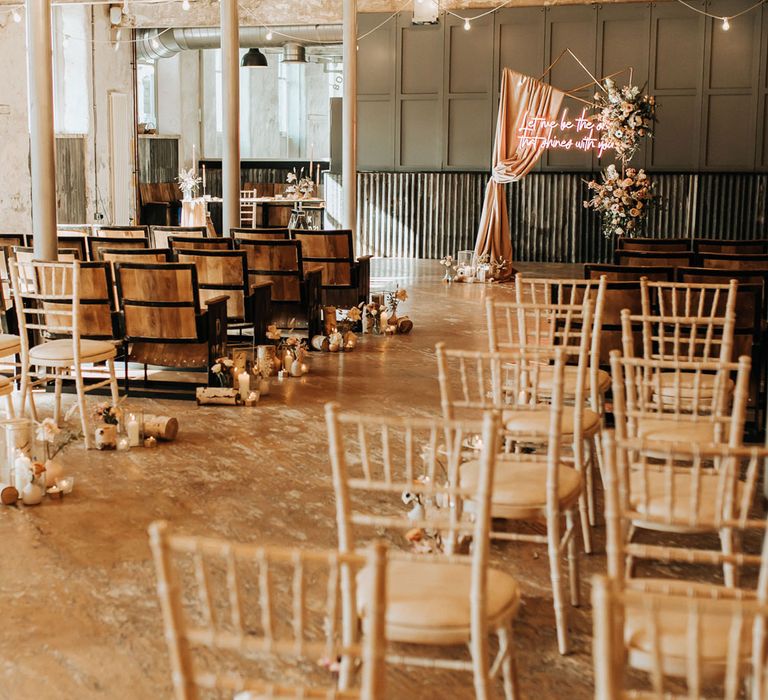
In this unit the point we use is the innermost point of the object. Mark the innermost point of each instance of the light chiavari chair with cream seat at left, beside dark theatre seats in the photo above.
(53, 301)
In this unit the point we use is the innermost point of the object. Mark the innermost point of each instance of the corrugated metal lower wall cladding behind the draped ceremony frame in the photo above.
(429, 215)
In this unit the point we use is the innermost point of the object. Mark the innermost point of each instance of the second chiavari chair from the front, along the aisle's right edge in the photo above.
(437, 599)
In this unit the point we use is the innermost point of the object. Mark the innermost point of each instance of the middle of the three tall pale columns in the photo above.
(230, 85)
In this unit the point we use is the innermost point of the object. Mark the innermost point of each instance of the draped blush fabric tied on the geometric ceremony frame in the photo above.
(524, 101)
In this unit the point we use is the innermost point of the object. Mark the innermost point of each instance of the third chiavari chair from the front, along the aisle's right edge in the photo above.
(533, 487)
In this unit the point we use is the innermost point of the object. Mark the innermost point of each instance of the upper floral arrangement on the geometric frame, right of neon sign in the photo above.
(625, 116)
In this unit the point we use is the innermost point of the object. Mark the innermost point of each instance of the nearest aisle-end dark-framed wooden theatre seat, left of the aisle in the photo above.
(163, 321)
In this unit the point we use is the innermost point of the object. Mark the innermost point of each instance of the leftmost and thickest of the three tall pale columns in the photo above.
(42, 143)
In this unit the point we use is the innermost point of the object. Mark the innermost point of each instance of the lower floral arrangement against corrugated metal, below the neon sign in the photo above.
(621, 199)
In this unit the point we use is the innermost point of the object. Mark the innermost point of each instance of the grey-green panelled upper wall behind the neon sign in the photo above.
(428, 94)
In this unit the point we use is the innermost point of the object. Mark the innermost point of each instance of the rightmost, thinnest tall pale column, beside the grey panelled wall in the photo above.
(349, 116)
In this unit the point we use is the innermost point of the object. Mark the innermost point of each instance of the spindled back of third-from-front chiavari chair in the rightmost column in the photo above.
(646, 391)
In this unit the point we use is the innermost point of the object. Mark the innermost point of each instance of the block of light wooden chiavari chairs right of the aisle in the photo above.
(434, 599)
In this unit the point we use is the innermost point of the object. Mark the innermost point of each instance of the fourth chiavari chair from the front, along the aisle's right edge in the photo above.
(544, 326)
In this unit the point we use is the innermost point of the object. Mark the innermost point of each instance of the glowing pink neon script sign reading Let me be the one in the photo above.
(562, 134)
